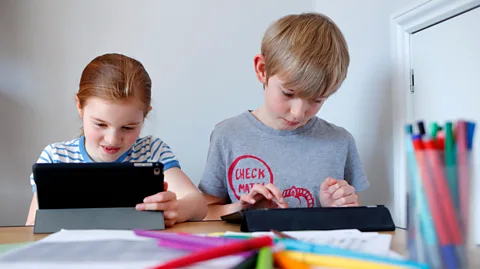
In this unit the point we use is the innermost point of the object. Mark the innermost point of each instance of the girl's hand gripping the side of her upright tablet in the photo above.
(166, 201)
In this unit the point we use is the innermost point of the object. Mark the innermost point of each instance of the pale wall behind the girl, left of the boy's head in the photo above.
(198, 53)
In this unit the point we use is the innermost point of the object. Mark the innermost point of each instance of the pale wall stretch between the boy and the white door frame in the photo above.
(367, 89)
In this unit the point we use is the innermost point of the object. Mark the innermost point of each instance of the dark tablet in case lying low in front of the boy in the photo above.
(363, 218)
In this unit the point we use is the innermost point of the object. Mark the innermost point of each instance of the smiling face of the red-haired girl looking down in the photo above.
(111, 128)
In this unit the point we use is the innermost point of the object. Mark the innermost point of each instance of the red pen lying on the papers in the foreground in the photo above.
(220, 251)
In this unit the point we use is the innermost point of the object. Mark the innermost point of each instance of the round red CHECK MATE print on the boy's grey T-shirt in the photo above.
(247, 170)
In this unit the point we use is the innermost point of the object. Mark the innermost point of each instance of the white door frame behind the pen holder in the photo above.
(403, 25)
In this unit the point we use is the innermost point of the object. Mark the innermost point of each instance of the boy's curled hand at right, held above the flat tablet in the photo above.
(334, 192)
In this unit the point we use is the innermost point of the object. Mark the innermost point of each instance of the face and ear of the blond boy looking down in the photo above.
(283, 110)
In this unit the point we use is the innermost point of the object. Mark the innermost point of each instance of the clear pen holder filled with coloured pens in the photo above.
(439, 203)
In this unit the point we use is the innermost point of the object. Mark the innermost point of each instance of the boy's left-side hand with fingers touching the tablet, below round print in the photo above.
(266, 196)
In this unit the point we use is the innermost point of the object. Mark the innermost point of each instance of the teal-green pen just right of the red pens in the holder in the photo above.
(450, 165)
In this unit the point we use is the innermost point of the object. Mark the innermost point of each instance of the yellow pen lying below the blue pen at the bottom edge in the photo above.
(338, 262)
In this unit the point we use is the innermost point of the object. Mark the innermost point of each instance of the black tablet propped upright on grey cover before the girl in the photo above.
(96, 196)
